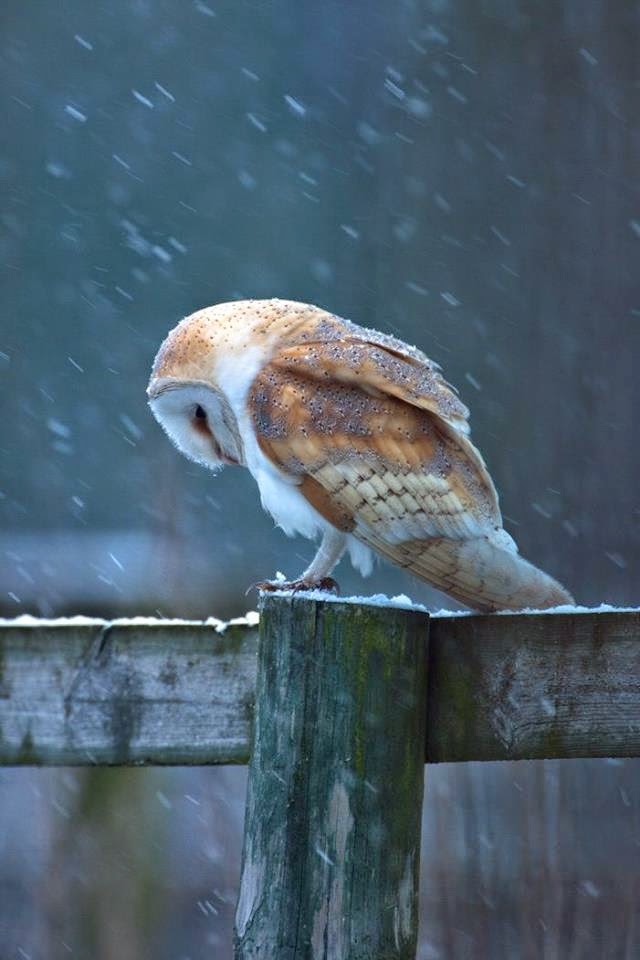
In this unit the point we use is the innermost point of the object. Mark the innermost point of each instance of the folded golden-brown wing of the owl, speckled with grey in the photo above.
(375, 444)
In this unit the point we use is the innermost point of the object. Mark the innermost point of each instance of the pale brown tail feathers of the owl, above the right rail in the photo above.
(484, 573)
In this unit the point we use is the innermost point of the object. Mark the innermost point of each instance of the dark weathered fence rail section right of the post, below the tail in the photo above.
(533, 686)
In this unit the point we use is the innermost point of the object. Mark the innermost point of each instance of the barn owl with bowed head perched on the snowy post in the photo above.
(353, 437)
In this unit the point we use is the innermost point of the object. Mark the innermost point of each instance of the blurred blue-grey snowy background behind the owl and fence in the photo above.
(463, 175)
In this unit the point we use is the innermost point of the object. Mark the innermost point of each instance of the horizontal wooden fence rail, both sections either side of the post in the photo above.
(500, 687)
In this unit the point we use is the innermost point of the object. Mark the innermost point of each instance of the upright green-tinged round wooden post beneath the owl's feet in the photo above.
(332, 830)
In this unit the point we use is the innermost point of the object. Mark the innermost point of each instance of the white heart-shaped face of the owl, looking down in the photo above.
(197, 419)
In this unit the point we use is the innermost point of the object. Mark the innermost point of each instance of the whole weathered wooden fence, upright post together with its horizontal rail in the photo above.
(343, 703)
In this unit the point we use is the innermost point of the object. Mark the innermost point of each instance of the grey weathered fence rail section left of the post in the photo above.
(126, 694)
